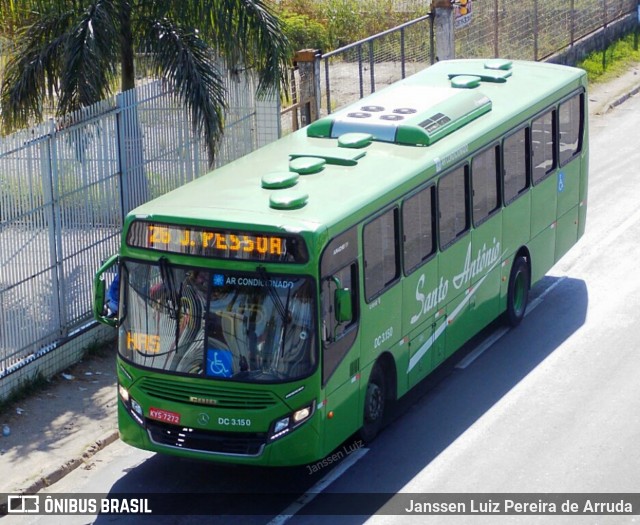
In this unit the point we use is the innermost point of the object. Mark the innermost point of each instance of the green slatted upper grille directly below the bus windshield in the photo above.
(201, 393)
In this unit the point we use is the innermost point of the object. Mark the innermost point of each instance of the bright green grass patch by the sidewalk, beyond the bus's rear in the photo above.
(616, 59)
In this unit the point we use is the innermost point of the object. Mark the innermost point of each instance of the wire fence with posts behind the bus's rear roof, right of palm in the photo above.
(525, 29)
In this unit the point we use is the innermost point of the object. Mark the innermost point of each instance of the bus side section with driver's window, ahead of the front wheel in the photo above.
(340, 345)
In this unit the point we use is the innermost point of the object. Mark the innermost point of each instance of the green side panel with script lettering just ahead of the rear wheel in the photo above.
(487, 253)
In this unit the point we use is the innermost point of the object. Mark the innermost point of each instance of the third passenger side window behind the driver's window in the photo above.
(453, 205)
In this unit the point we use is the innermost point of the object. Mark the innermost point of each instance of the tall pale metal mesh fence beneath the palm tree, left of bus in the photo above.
(66, 185)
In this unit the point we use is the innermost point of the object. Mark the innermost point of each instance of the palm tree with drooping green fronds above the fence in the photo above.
(70, 52)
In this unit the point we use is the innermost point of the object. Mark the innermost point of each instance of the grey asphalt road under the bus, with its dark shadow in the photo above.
(550, 407)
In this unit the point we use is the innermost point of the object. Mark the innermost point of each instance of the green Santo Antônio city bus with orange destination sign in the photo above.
(272, 308)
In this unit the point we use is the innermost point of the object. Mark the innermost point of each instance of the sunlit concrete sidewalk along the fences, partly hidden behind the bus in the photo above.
(62, 427)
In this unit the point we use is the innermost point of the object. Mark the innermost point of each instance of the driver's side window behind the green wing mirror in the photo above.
(342, 281)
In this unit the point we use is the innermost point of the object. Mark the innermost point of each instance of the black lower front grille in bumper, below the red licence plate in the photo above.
(232, 443)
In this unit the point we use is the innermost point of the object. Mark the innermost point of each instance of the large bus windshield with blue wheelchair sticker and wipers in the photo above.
(250, 327)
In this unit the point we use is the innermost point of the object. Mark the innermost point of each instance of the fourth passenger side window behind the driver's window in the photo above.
(485, 184)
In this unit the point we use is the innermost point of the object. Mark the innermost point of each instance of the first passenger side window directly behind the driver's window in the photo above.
(381, 257)
